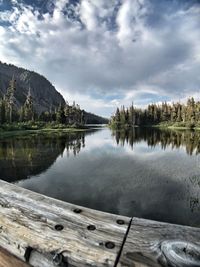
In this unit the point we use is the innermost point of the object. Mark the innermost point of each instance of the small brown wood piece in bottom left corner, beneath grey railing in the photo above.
(8, 260)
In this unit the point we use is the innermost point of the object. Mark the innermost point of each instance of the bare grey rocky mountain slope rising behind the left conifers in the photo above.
(43, 92)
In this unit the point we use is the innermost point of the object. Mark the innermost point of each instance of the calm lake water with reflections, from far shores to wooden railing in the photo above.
(146, 173)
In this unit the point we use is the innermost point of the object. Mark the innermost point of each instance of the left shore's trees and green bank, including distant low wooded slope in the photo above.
(16, 114)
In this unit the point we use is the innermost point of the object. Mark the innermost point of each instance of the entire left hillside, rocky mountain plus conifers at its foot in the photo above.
(26, 96)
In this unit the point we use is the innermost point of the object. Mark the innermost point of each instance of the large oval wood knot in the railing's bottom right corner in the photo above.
(181, 254)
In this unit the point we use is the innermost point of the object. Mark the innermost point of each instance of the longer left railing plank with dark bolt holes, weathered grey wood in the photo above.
(61, 233)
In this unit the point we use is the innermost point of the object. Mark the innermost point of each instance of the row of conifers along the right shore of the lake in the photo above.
(176, 114)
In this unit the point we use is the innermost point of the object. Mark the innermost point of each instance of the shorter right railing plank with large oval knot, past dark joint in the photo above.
(155, 244)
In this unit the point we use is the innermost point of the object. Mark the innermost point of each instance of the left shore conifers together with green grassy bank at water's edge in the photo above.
(15, 117)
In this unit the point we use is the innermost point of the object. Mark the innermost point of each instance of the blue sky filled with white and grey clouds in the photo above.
(107, 53)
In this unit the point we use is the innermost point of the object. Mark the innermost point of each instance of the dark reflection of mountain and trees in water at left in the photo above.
(33, 154)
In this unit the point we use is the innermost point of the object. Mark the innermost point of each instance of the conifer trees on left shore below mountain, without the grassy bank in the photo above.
(9, 113)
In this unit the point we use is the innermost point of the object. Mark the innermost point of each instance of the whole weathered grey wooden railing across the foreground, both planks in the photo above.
(36, 230)
